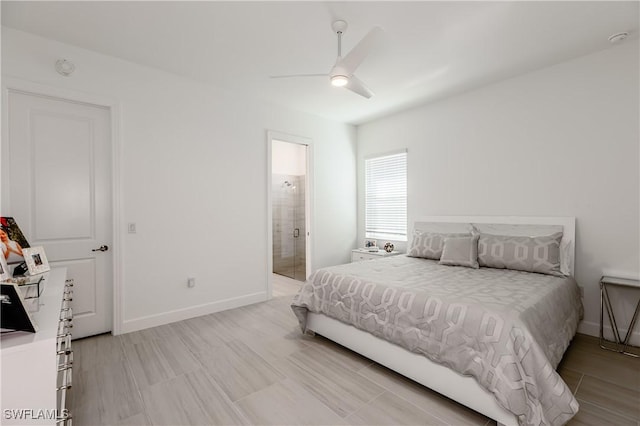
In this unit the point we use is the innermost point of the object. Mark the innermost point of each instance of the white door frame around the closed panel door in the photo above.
(28, 87)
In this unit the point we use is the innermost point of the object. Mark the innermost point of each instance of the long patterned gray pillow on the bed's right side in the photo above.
(530, 254)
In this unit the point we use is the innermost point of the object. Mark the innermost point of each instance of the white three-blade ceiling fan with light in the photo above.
(341, 75)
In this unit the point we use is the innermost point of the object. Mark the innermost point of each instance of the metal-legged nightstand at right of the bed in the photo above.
(605, 302)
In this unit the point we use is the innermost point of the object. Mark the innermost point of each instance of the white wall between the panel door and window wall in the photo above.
(193, 177)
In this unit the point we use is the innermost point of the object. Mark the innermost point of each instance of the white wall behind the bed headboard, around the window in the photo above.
(561, 141)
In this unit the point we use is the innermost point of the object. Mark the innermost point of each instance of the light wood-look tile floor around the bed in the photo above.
(252, 366)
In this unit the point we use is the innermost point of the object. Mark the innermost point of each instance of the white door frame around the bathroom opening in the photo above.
(309, 204)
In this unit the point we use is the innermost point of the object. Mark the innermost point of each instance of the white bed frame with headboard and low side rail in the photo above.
(463, 389)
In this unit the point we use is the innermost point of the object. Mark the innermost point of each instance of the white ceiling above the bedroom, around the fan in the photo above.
(430, 49)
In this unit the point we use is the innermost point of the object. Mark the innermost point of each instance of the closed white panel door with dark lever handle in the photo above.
(59, 192)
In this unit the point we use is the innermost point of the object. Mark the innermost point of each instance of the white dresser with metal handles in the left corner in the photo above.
(36, 367)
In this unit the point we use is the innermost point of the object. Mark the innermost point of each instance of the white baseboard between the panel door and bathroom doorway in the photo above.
(149, 321)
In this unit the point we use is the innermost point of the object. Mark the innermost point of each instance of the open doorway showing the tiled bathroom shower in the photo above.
(290, 208)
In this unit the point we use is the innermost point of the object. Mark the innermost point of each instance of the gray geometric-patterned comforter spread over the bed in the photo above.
(507, 329)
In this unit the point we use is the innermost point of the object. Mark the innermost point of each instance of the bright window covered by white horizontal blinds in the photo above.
(386, 196)
